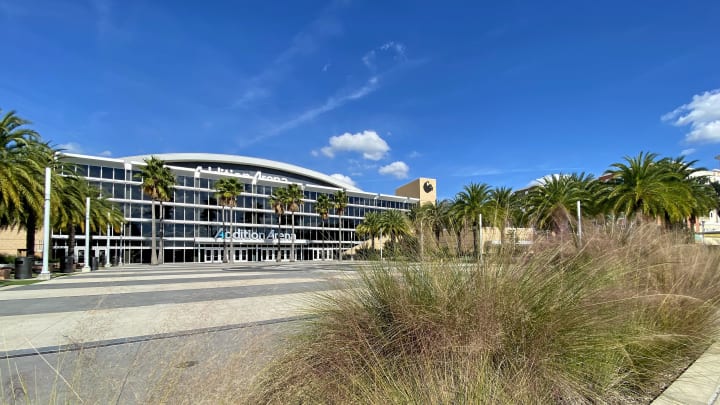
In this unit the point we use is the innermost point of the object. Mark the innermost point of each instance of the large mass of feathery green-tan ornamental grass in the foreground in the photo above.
(614, 321)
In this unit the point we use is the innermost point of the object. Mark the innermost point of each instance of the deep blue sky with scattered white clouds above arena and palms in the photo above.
(380, 92)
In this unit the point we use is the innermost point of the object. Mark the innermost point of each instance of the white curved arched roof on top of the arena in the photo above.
(242, 160)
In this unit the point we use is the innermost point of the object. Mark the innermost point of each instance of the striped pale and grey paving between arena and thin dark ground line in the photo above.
(125, 302)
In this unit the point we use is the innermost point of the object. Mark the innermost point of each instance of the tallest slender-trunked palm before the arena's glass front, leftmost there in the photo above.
(157, 183)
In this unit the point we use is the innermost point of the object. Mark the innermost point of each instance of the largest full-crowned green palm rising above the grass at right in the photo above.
(647, 188)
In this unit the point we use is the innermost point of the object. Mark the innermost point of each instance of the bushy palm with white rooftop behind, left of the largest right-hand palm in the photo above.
(551, 203)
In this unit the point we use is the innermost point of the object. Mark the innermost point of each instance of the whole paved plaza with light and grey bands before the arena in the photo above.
(114, 328)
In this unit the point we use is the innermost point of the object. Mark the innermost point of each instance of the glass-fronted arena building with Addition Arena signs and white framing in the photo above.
(190, 228)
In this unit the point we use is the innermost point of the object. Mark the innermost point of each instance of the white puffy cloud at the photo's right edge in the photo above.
(702, 114)
